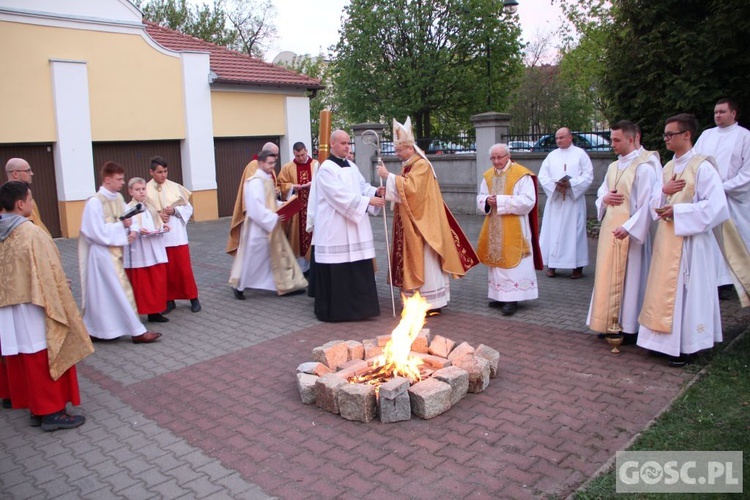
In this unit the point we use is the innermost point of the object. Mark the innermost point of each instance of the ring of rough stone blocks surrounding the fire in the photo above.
(449, 372)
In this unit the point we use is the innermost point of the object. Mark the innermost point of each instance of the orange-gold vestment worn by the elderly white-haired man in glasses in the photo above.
(501, 242)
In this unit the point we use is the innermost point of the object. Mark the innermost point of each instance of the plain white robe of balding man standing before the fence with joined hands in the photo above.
(563, 235)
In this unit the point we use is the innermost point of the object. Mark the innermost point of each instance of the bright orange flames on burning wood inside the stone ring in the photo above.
(395, 360)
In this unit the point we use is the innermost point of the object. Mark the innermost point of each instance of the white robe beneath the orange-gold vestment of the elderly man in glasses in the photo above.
(516, 283)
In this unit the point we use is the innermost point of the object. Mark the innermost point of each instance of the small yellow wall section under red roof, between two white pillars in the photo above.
(243, 114)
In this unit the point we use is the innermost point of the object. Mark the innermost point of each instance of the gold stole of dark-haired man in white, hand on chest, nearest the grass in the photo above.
(663, 275)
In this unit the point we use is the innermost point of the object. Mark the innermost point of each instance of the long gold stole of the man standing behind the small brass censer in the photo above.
(612, 253)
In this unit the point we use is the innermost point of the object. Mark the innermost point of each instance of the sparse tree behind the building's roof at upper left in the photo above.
(206, 22)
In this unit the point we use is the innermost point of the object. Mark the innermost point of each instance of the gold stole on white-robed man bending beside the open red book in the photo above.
(287, 275)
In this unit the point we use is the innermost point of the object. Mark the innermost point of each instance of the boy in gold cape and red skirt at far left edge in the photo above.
(42, 336)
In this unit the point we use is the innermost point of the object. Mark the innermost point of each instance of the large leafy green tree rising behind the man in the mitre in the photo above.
(429, 59)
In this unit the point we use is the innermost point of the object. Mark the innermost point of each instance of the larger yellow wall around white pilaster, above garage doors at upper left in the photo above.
(135, 91)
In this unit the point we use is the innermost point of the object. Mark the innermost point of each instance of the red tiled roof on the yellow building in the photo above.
(231, 67)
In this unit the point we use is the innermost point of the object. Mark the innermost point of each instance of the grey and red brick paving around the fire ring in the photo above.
(212, 410)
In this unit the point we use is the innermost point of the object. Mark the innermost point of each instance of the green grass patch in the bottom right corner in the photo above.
(713, 414)
